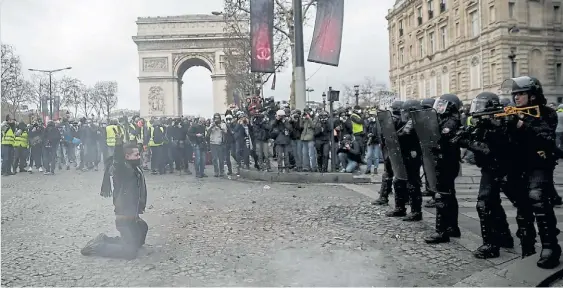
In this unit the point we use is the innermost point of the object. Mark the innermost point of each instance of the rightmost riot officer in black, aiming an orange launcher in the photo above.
(533, 133)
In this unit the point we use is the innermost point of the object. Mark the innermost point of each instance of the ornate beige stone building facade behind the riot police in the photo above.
(465, 47)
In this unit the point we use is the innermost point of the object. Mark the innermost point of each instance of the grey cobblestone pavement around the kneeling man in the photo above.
(218, 232)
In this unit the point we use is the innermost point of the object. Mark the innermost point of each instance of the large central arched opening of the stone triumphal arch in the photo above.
(195, 89)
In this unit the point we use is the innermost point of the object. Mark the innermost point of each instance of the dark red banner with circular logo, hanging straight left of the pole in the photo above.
(262, 36)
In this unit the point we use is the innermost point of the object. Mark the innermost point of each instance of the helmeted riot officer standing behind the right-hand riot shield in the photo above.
(447, 168)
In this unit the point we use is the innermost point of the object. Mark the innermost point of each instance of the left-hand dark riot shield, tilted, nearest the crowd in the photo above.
(392, 147)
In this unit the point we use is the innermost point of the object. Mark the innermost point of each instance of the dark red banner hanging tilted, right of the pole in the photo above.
(327, 36)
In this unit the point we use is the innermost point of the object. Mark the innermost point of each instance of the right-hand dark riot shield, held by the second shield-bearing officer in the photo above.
(425, 123)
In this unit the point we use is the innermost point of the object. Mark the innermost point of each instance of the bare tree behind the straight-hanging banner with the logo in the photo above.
(283, 35)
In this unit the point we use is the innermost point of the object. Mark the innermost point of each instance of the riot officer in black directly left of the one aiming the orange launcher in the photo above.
(487, 140)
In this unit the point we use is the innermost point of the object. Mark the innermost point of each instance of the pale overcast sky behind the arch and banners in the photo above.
(94, 37)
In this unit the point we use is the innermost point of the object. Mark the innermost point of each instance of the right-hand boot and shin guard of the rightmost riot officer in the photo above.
(547, 229)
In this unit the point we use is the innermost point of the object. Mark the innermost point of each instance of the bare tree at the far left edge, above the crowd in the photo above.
(11, 70)
